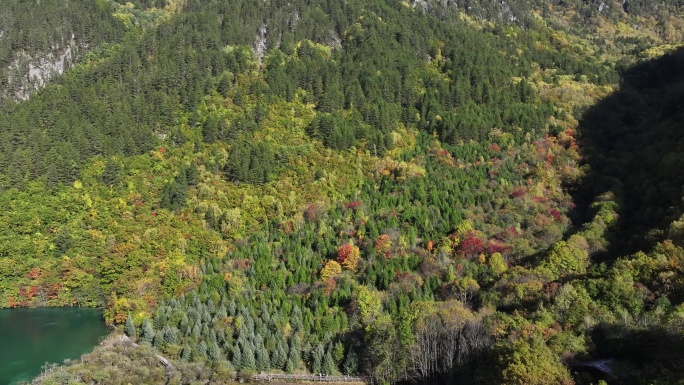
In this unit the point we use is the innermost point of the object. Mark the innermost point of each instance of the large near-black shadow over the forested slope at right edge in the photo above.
(634, 146)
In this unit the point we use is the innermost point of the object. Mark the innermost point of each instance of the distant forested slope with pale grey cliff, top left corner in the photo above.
(40, 39)
